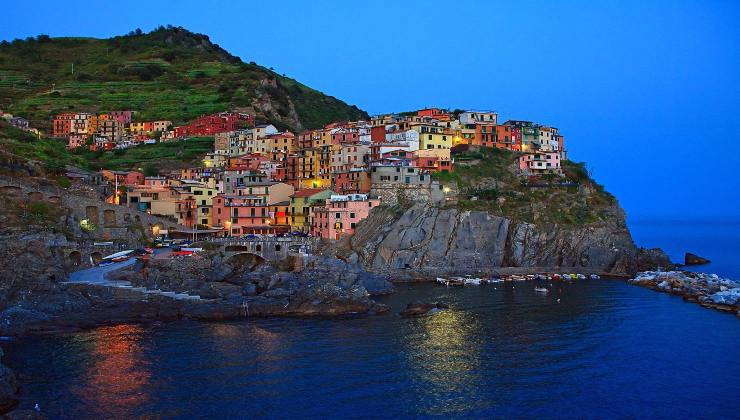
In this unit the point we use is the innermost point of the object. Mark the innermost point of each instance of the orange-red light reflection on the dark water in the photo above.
(118, 378)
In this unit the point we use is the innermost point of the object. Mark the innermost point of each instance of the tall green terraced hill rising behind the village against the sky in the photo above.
(169, 73)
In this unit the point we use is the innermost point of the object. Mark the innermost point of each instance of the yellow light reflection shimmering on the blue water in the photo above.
(444, 357)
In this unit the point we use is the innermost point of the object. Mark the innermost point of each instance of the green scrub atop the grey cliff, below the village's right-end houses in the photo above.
(487, 180)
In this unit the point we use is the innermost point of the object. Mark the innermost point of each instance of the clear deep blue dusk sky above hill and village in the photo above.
(648, 93)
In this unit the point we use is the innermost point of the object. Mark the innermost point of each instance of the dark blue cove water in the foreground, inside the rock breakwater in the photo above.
(607, 349)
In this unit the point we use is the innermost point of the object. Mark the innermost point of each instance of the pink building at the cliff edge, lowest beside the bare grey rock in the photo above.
(340, 215)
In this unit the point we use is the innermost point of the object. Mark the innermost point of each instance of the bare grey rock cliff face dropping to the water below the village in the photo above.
(432, 240)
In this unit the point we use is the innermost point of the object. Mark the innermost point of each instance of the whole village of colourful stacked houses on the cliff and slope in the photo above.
(319, 183)
